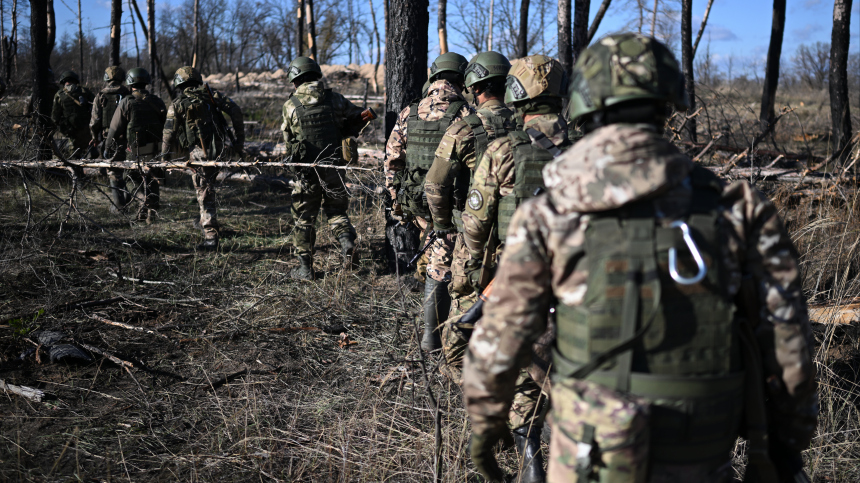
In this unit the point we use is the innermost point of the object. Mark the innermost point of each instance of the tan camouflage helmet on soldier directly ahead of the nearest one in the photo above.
(535, 76)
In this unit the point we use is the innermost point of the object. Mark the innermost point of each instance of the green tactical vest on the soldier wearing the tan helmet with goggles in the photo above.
(532, 150)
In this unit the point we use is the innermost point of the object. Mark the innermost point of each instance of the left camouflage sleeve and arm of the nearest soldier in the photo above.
(514, 317)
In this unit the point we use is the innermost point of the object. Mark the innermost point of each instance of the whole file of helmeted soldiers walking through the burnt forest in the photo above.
(652, 312)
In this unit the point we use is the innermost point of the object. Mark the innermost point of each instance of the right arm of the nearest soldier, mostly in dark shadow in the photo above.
(783, 333)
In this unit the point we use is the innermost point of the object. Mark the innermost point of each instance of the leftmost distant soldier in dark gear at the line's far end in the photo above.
(71, 112)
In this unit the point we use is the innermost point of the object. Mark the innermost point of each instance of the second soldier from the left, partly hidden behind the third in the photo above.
(104, 105)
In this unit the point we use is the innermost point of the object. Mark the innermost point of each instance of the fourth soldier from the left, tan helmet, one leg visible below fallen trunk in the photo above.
(195, 128)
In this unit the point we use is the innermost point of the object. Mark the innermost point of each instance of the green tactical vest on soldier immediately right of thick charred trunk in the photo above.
(424, 138)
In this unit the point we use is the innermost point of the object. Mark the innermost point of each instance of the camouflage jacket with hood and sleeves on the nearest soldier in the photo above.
(544, 259)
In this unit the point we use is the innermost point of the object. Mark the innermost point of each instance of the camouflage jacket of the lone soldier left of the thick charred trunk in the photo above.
(309, 94)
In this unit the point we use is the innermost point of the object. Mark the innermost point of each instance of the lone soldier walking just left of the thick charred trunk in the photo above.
(316, 121)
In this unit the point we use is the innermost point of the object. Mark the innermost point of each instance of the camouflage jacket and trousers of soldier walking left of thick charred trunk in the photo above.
(319, 188)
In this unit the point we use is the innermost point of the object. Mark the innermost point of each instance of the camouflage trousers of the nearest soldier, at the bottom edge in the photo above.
(615, 425)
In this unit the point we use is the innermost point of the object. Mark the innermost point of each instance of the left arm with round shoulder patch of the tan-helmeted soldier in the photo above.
(482, 201)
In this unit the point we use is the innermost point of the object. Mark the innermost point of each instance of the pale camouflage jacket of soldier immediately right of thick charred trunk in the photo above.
(440, 94)
